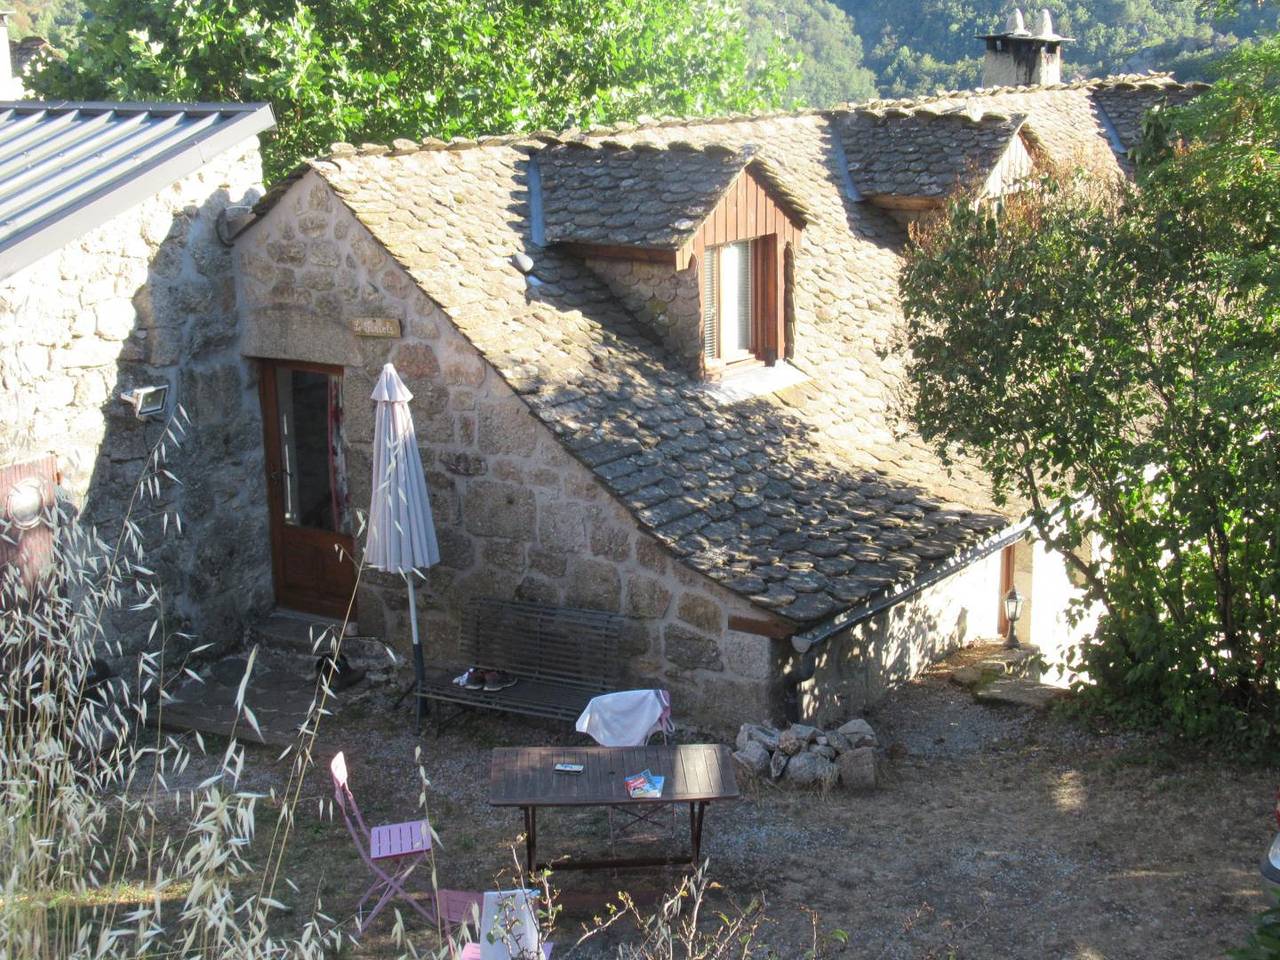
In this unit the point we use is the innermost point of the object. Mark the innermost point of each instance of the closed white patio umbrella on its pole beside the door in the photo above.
(401, 534)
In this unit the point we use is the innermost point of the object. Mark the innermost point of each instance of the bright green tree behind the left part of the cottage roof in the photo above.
(380, 70)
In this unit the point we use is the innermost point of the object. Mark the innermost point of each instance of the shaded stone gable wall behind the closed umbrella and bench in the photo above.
(516, 515)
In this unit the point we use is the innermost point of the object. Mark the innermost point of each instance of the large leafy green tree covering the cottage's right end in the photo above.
(1112, 355)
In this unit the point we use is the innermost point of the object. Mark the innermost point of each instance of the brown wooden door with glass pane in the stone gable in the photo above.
(313, 551)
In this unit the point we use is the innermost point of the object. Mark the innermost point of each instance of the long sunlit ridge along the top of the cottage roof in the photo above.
(586, 136)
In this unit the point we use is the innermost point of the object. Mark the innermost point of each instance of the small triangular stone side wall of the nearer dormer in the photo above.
(664, 298)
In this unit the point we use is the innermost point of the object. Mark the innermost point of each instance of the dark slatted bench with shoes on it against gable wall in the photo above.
(561, 659)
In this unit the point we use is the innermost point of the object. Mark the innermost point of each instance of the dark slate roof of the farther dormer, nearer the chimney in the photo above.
(922, 154)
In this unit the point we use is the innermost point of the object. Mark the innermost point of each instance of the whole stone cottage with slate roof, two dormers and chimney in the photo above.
(655, 373)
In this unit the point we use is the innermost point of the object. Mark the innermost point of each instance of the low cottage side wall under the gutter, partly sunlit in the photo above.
(856, 669)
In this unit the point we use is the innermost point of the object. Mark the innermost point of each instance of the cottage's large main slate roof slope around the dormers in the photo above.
(811, 502)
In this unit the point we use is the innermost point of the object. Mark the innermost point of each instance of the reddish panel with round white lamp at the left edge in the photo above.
(28, 501)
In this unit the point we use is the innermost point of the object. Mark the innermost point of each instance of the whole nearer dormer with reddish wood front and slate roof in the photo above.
(692, 240)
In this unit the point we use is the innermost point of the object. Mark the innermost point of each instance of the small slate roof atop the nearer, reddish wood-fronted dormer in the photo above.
(641, 195)
